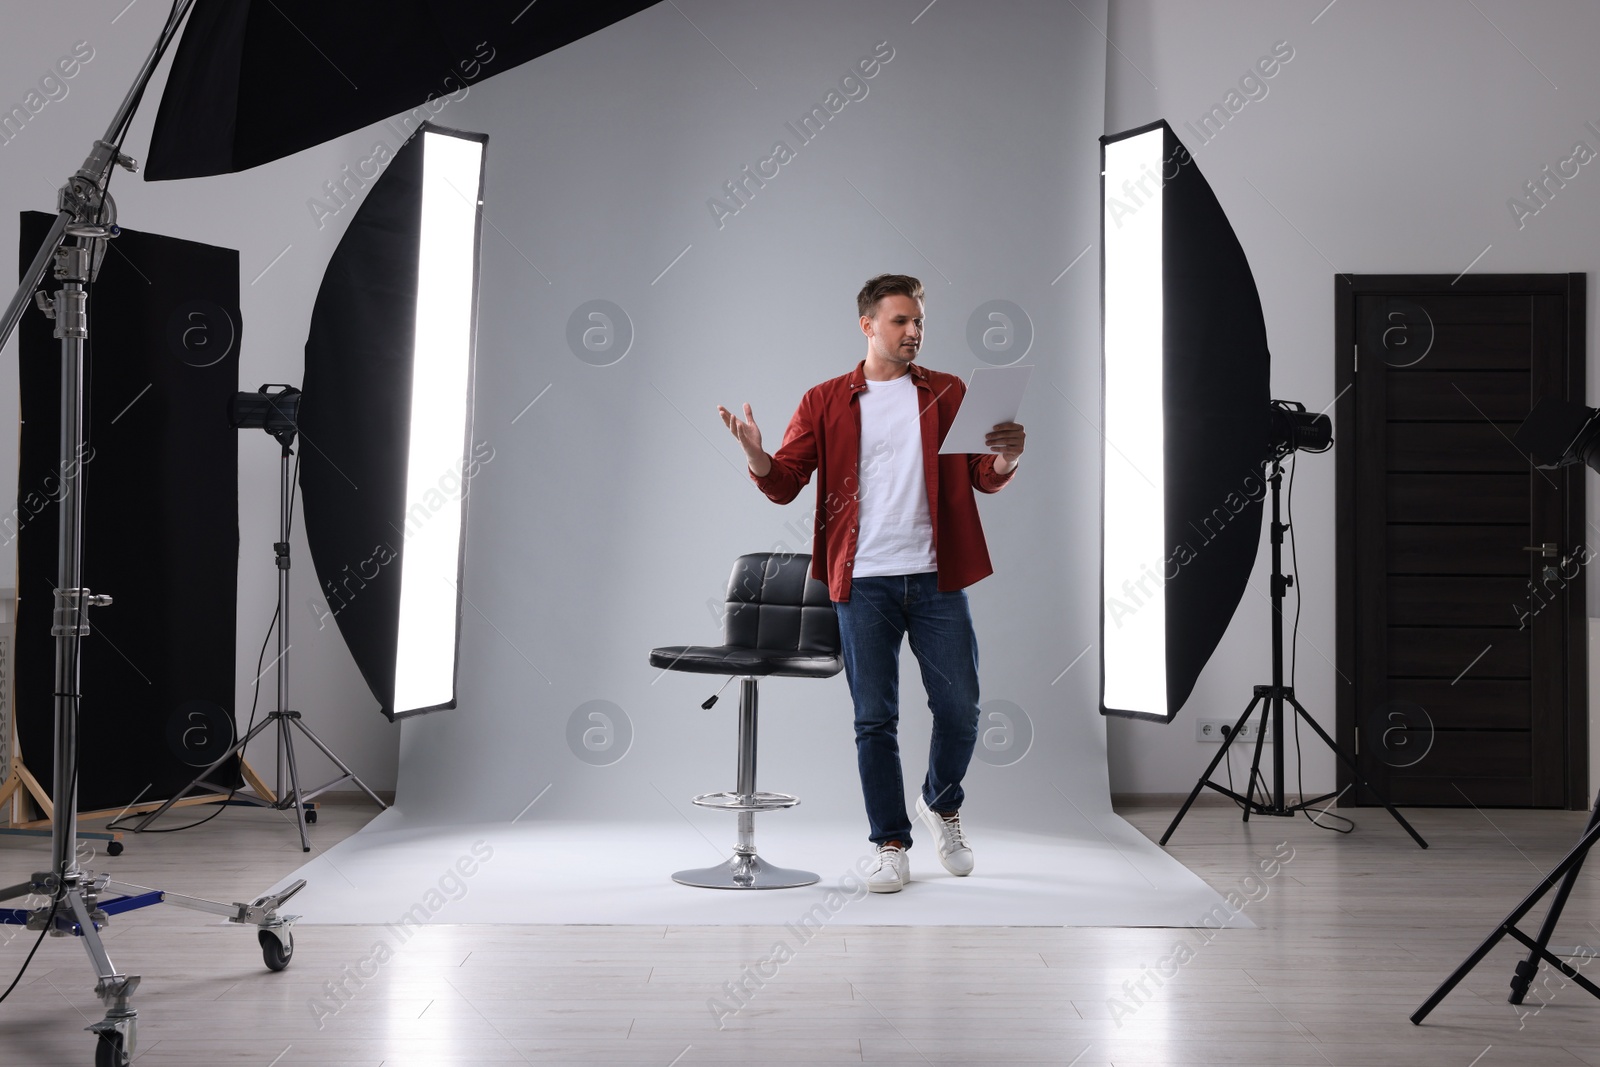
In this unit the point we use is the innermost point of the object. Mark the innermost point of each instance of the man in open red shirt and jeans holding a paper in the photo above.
(897, 540)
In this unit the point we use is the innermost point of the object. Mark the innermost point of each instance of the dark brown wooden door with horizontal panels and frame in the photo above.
(1463, 676)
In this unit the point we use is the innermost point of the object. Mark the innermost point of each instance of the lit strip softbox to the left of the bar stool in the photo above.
(386, 420)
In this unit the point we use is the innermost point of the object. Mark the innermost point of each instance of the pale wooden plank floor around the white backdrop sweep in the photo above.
(1354, 933)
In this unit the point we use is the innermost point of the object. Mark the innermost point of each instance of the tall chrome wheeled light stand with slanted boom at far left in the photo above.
(78, 898)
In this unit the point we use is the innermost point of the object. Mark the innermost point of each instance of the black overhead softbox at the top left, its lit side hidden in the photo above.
(254, 82)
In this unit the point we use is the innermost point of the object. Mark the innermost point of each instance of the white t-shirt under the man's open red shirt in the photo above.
(897, 533)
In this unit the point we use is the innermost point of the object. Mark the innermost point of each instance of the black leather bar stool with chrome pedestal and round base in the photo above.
(778, 621)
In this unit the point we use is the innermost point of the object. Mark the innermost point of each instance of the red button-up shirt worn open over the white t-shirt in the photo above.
(825, 436)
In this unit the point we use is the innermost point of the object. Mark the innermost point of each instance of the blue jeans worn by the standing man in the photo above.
(881, 612)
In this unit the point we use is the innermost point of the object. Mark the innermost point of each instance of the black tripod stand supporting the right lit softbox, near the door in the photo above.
(1271, 698)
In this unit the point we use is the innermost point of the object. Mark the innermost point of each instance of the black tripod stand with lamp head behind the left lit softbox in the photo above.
(276, 414)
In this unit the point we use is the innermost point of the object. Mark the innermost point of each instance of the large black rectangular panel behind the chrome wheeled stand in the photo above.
(161, 521)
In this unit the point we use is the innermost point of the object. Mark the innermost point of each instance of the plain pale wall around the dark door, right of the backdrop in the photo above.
(1391, 143)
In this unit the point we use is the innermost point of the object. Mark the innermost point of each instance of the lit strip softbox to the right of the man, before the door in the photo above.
(1186, 414)
